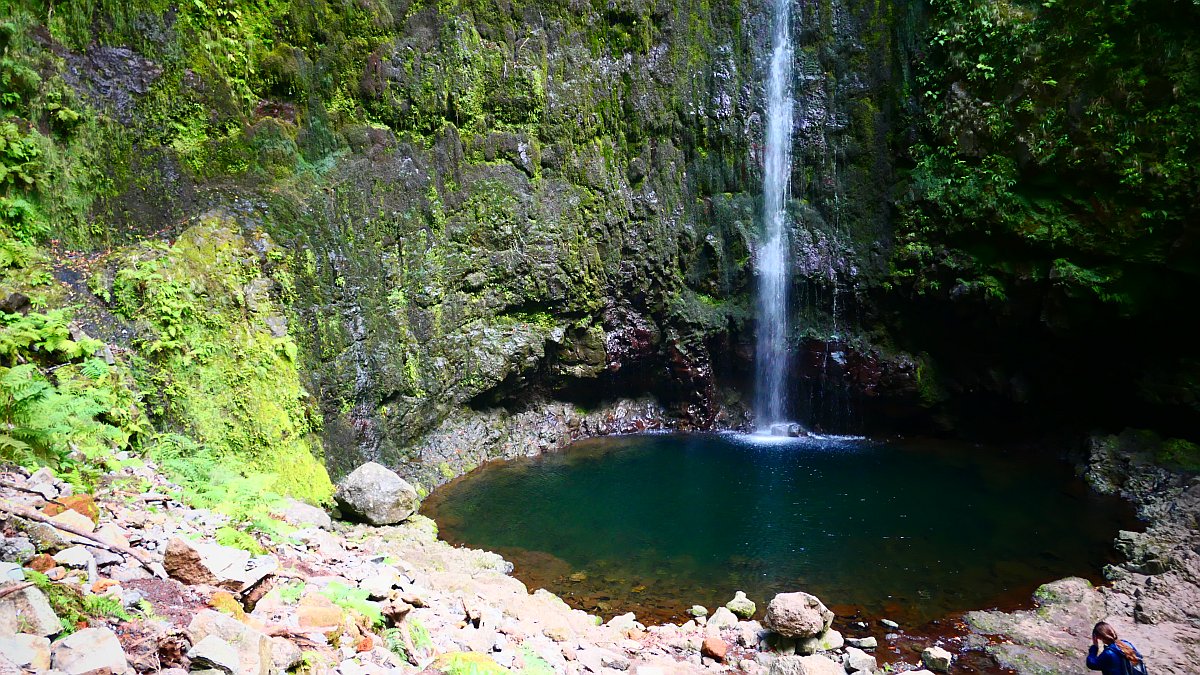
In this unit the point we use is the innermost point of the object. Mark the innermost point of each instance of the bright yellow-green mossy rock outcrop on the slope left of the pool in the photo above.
(219, 371)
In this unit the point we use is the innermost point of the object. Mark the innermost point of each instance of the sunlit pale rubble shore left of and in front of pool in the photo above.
(131, 581)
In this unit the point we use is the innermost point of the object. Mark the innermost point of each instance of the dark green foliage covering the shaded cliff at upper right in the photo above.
(1058, 146)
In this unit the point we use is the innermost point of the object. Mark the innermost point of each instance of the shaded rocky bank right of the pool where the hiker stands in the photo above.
(1154, 598)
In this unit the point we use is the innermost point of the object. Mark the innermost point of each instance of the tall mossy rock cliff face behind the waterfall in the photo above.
(472, 206)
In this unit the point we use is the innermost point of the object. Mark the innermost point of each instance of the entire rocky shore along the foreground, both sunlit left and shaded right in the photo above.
(131, 581)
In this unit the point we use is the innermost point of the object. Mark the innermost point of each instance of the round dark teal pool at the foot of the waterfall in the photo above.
(908, 530)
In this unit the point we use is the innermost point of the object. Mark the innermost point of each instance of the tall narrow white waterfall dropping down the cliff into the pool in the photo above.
(771, 360)
